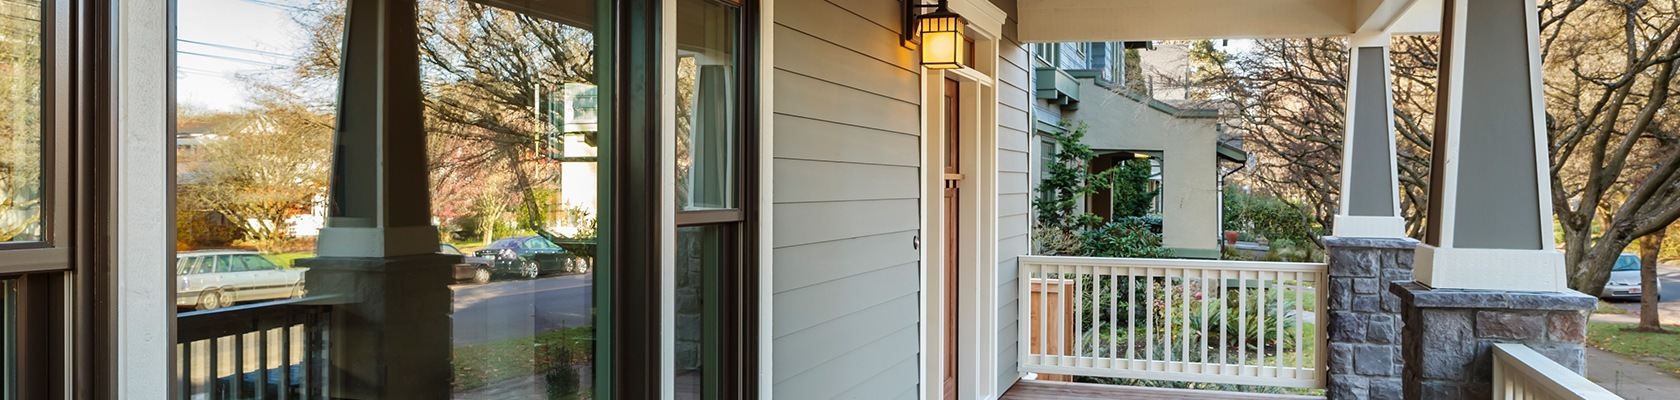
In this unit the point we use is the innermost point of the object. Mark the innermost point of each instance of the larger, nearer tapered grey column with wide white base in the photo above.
(1491, 221)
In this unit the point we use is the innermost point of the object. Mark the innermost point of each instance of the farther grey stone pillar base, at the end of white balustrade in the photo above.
(1363, 318)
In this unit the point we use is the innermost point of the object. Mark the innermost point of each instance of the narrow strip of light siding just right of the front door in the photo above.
(1016, 162)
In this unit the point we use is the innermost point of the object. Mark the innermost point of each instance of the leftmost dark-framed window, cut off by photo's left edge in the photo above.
(34, 201)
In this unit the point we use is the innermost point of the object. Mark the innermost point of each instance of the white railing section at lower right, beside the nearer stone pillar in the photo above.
(1523, 374)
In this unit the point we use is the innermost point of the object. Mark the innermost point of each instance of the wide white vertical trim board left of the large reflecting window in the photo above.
(140, 201)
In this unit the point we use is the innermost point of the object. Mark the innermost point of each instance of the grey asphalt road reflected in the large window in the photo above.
(517, 308)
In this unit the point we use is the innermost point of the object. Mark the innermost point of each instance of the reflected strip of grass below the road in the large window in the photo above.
(480, 366)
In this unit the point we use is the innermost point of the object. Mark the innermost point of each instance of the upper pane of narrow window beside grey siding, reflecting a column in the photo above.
(706, 105)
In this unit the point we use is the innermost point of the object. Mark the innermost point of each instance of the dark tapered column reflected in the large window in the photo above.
(379, 196)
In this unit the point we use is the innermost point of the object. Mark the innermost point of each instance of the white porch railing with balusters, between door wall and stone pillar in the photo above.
(1217, 322)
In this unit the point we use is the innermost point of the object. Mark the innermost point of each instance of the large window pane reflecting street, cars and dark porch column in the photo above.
(513, 145)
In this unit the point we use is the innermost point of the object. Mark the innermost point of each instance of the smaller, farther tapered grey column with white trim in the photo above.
(1370, 204)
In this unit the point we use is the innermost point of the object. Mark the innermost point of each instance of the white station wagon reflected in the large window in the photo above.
(209, 280)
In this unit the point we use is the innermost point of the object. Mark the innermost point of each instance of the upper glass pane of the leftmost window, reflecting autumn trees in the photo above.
(21, 186)
